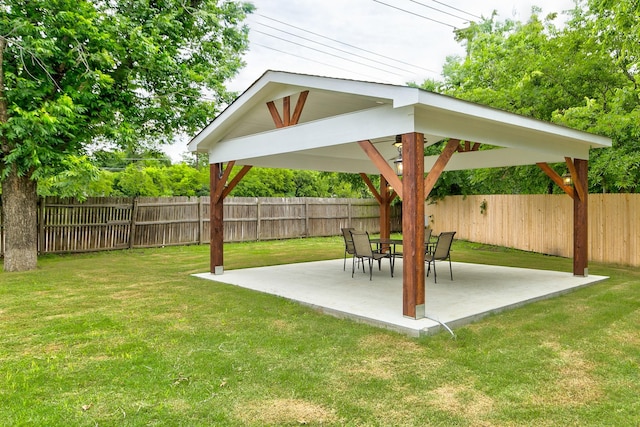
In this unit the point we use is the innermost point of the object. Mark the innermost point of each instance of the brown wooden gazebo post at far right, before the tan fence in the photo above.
(580, 220)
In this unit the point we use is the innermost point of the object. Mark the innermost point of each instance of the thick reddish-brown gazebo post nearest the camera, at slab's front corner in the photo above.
(413, 226)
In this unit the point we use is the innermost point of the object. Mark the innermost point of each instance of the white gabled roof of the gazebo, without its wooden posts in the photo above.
(338, 113)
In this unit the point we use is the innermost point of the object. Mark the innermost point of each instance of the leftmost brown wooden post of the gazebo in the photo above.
(216, 223)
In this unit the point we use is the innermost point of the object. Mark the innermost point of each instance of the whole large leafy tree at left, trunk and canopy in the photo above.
(76, 72)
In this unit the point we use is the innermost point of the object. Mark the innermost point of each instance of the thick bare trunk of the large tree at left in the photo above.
(19, 216)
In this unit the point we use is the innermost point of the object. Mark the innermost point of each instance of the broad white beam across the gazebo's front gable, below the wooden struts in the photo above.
(368, 124)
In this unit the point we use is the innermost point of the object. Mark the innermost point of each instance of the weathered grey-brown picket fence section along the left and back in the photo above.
(67, 225)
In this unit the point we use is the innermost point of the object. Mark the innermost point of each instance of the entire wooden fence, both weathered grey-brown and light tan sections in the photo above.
(538, 223)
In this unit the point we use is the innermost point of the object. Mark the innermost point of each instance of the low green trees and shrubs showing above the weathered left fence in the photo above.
(151, 174)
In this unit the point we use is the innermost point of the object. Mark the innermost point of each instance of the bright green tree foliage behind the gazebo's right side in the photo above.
(583, 75)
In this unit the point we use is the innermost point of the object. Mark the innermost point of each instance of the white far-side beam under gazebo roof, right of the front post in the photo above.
(500, 157)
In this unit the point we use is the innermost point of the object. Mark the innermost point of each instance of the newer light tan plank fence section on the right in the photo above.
(544, 223)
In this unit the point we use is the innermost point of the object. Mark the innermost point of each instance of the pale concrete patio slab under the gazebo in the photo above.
(475, 291)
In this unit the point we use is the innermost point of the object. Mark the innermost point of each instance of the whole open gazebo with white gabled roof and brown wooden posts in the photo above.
(295, 121)
